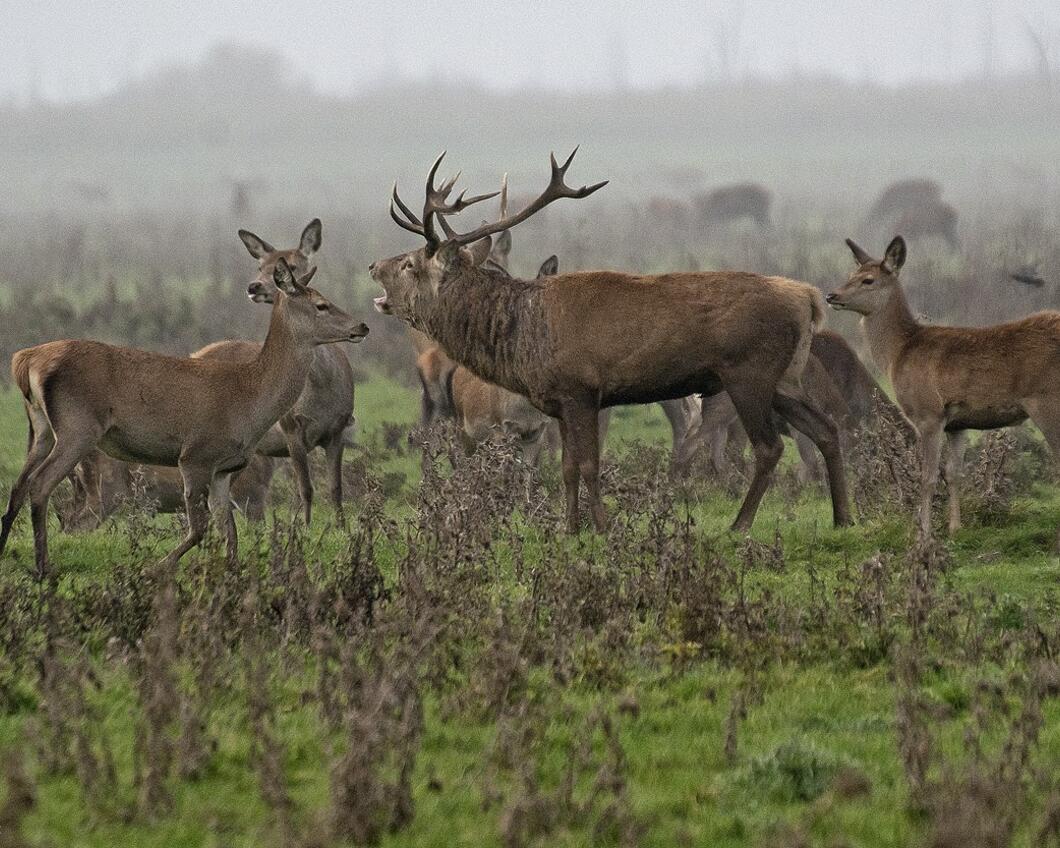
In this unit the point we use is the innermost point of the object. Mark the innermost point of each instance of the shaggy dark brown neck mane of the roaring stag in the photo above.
(493, 325)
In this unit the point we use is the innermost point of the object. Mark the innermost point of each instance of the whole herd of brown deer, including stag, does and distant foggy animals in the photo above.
(730, 356)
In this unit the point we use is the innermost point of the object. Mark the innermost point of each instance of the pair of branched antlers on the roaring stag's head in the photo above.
(436, 204)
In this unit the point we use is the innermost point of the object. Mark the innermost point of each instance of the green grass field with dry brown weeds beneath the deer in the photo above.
(455, 670)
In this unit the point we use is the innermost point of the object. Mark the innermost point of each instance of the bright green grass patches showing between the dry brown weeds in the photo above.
(816, 717)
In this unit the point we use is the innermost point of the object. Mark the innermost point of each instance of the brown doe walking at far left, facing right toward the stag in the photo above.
(204, 416)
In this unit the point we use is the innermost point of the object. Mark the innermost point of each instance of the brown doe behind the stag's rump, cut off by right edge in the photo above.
(950, 380)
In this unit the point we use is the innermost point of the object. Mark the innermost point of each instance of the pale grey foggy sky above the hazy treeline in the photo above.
(76, 49)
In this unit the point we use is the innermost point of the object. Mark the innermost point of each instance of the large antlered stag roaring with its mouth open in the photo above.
(577, 343)
